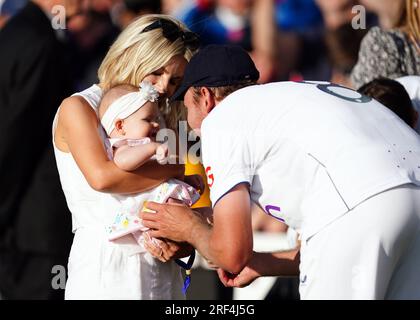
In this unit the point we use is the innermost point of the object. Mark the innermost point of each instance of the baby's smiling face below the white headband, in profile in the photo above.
(142, 123)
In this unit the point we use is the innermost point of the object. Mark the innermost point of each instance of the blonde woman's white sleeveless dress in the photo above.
(98, 268)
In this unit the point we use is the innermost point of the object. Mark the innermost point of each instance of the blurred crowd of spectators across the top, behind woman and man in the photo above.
(288, 39)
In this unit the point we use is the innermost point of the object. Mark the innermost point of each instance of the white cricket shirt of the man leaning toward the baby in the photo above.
(309, 156)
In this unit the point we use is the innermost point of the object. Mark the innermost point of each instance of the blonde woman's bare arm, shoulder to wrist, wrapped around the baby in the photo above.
(77, 128)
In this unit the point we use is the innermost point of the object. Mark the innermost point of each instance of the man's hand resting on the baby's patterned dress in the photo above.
(171, 221)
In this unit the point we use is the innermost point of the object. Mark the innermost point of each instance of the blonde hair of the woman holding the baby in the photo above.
(134, 55)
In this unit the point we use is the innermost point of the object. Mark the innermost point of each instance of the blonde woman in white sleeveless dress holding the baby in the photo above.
(154, 48)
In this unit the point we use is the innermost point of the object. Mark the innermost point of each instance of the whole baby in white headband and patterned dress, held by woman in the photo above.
(129, 117)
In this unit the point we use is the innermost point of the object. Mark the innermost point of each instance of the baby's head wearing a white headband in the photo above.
(127, 112)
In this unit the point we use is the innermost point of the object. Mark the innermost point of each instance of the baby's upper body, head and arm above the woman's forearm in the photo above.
(129, 117)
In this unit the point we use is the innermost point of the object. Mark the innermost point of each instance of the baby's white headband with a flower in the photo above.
(126, 105)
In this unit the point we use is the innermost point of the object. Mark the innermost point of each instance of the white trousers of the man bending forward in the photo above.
(372, 252)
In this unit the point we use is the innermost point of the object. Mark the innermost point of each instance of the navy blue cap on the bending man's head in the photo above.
(217, 66)
